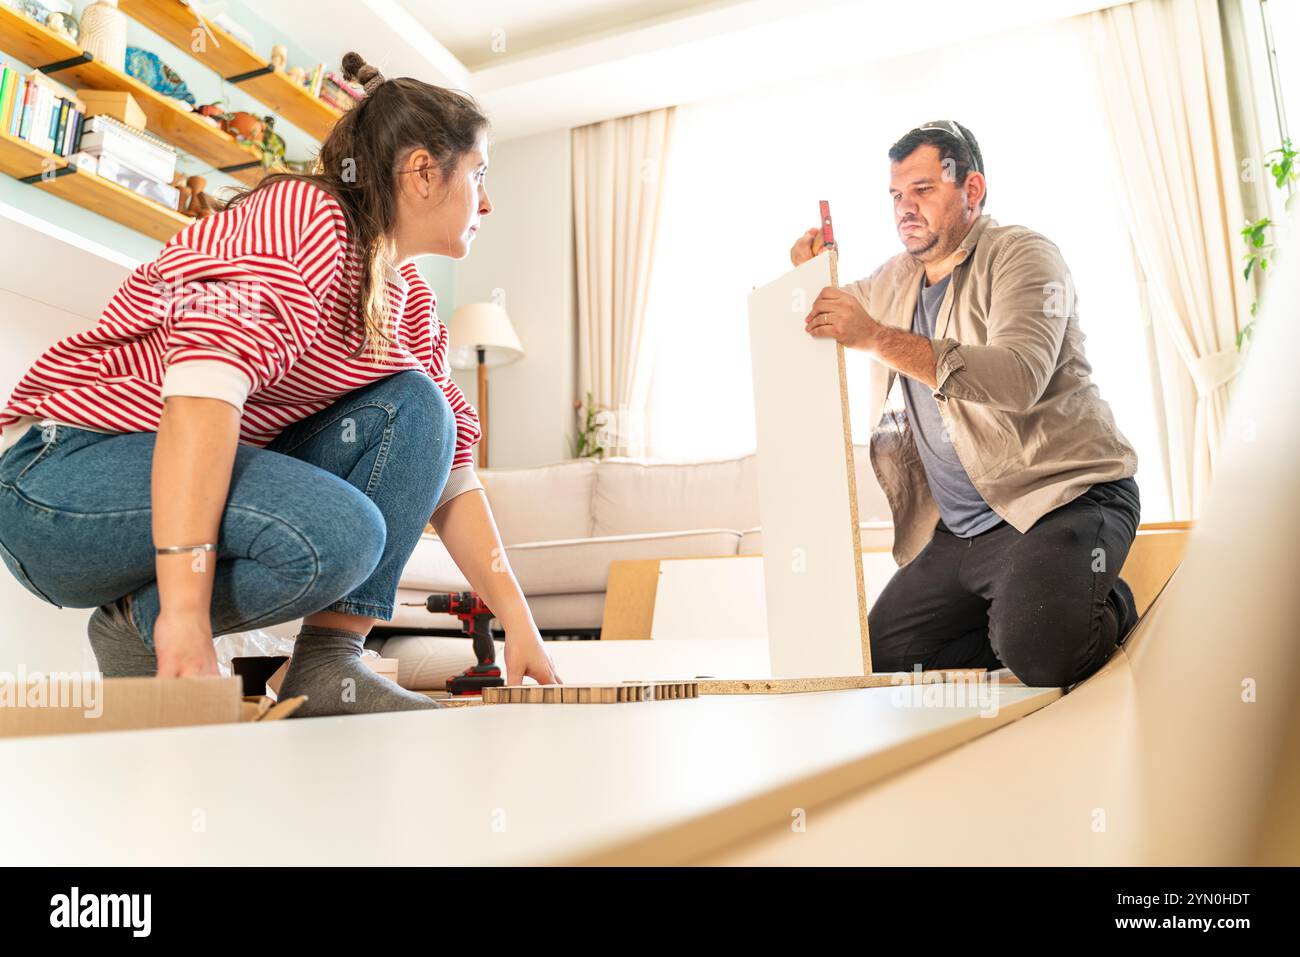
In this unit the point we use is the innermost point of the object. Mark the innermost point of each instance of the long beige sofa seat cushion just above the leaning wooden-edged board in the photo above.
(583, 565)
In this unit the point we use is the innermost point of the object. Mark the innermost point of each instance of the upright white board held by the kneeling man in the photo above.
(817, 604)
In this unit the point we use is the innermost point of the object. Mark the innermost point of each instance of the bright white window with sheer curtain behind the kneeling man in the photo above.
(746, 177)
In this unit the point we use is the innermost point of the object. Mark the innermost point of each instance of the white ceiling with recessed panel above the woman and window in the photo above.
(561, 64)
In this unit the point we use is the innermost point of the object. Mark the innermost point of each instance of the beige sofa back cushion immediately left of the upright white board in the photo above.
(635, 496)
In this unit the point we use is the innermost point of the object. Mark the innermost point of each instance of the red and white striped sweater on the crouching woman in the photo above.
(254, 306)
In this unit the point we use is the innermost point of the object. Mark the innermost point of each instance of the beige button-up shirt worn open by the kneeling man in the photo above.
(1015, 389)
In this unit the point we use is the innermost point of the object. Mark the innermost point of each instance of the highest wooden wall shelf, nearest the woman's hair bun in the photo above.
(176, 23)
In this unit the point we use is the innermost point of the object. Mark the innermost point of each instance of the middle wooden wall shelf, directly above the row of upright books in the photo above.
(40, 46)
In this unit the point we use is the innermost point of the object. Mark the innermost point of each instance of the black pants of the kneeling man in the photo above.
(1039, 604)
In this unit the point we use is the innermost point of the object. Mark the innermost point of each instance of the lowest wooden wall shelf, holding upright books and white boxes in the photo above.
(21, 159)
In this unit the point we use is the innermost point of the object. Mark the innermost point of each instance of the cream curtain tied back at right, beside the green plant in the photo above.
(1165, 85)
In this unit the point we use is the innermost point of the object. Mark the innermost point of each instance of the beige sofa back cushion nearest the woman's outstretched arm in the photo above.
(543, 504)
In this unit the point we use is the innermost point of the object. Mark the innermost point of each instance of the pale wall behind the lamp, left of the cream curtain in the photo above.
(525, 259)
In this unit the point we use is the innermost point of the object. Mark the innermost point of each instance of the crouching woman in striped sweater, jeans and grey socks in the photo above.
(263, 422)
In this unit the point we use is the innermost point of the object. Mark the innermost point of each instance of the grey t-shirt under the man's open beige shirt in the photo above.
(963, 509)
